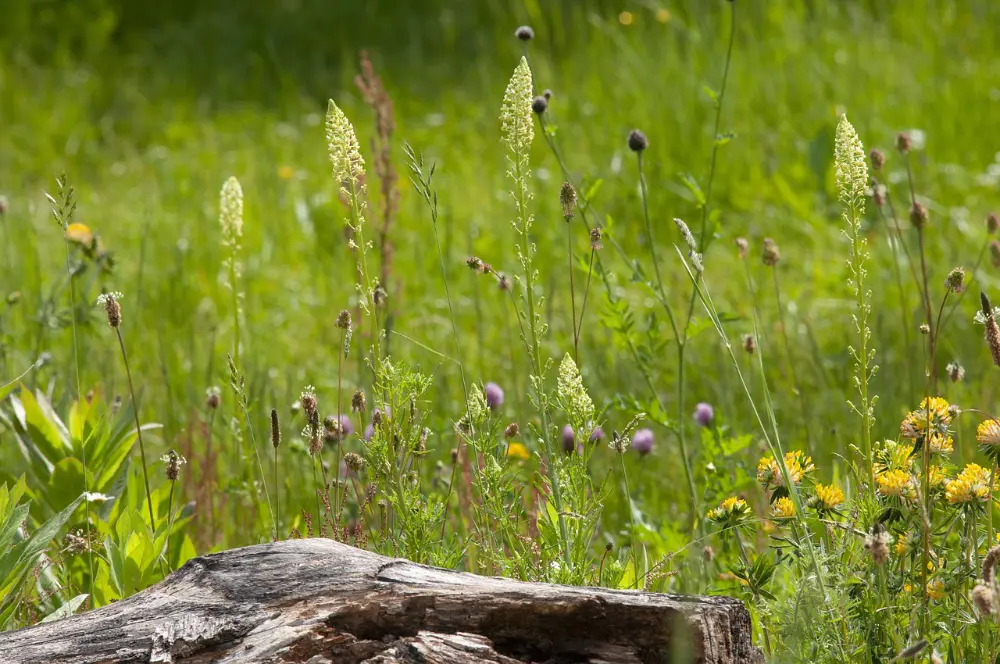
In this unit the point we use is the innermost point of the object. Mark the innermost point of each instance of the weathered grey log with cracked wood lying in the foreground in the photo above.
(319, 601)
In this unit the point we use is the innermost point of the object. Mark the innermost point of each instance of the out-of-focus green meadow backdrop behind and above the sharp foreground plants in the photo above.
(149, 107)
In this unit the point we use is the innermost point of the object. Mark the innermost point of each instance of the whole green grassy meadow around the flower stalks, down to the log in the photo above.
(148, 115)
